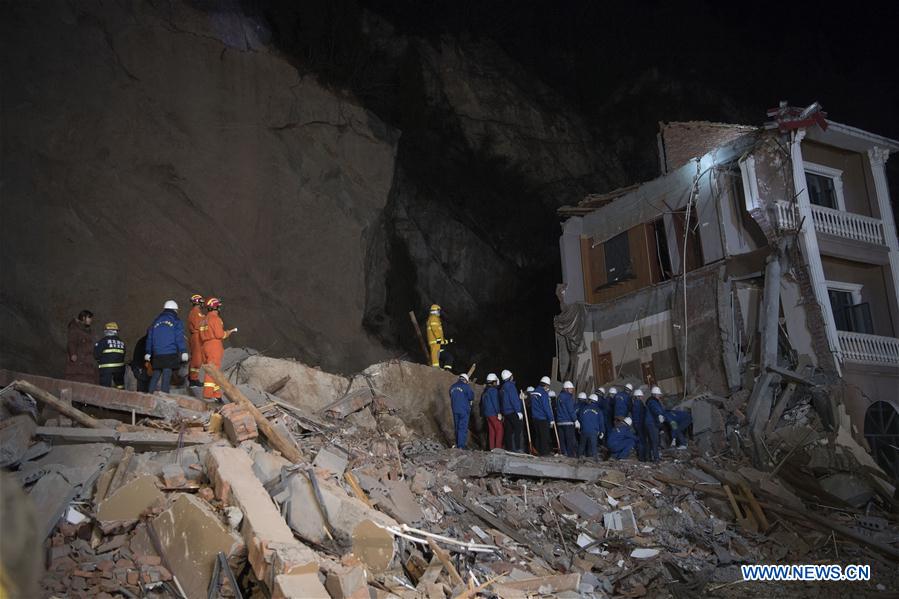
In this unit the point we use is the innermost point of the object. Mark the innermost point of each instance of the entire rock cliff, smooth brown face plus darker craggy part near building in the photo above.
(152, 150)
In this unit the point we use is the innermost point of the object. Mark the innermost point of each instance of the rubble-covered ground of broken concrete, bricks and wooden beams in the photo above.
(345, 487)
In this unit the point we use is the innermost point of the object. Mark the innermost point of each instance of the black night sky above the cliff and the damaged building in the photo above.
(753, 53)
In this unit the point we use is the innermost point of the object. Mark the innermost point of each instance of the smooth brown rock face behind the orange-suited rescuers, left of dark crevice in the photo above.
(153, 151)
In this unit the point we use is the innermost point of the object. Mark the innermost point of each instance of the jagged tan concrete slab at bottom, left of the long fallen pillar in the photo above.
(191, 535)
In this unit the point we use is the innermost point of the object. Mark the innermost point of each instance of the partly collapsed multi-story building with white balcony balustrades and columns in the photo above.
(802, 202)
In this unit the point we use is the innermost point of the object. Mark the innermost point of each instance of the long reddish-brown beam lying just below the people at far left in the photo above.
(157, 405)
